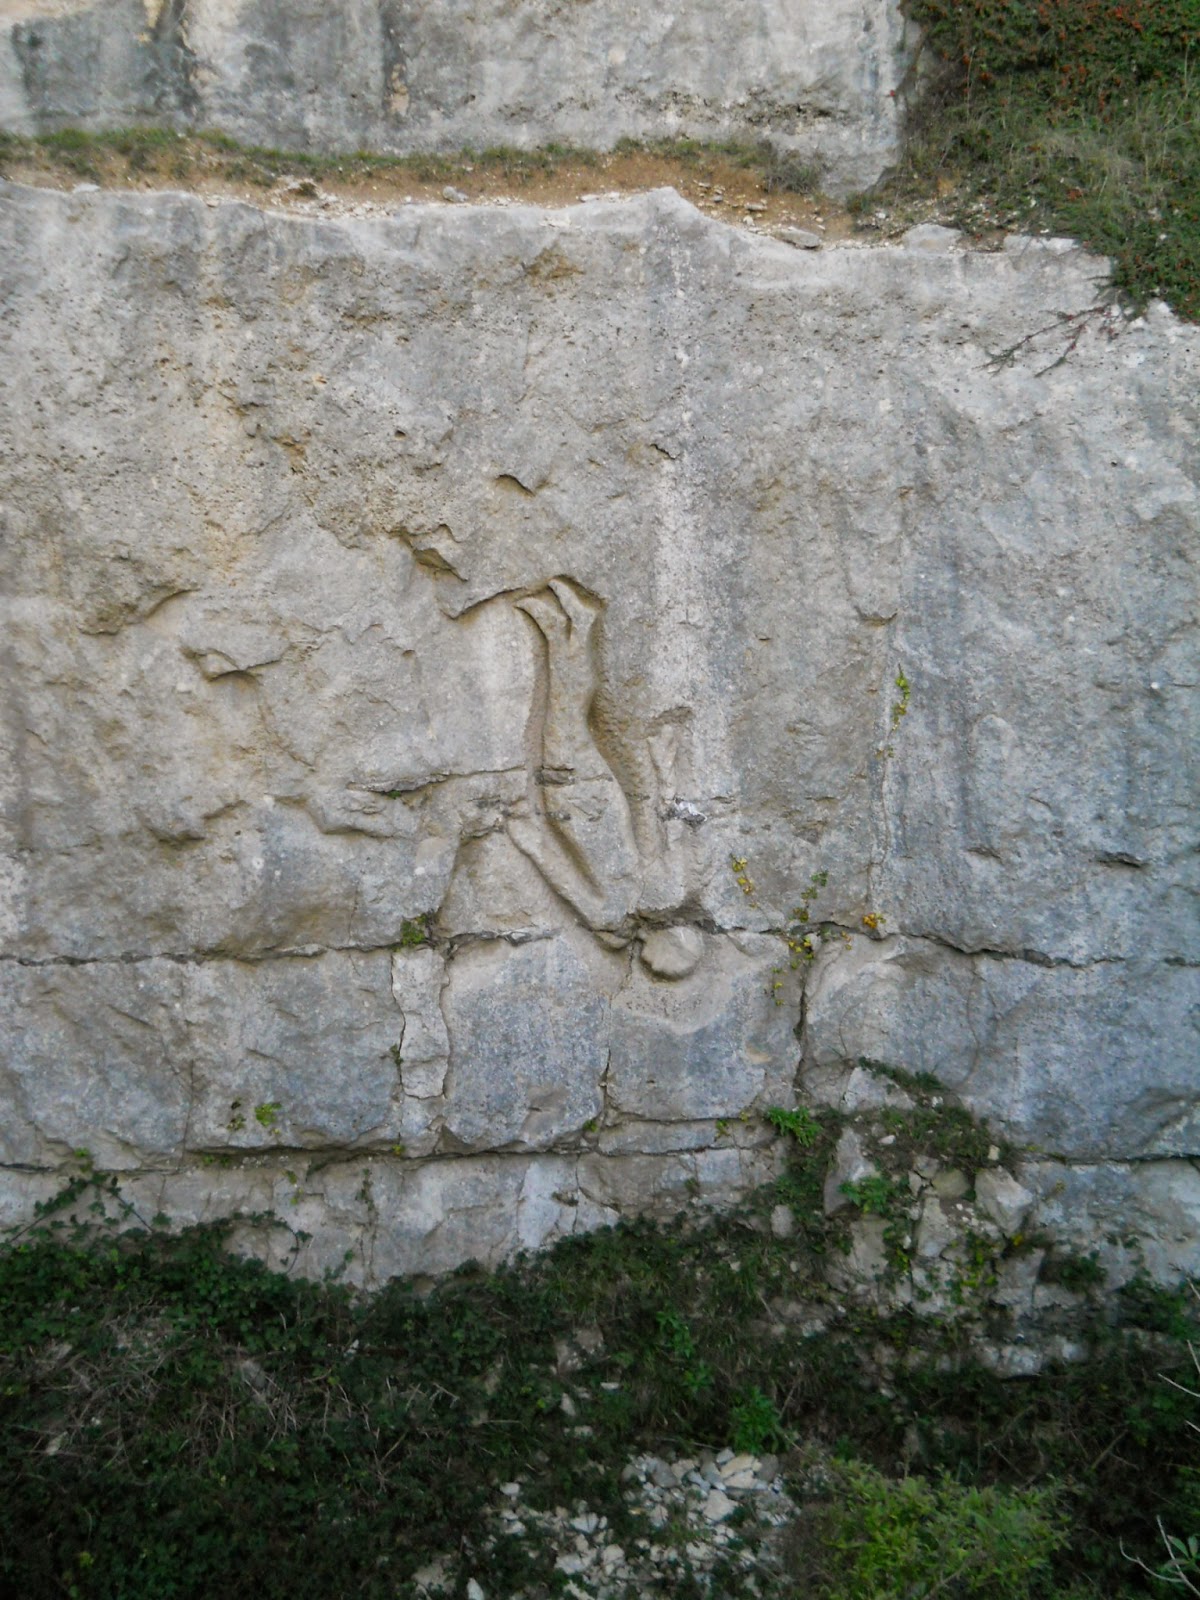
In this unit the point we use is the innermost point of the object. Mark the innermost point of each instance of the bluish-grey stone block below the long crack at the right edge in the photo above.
(1081, 1062)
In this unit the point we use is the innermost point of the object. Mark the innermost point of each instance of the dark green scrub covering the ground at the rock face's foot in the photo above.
(182, 1423)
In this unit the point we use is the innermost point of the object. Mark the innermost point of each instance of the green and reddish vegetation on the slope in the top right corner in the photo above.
(1079, 116)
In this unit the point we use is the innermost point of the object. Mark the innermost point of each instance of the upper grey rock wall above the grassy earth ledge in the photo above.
(814, 78)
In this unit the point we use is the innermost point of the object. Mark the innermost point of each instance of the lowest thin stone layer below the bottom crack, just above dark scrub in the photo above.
(374, 1217)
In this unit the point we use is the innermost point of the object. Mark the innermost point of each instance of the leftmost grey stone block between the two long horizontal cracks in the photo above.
(142, 1062)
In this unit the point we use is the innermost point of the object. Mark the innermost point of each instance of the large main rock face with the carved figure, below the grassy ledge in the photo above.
(444, 654)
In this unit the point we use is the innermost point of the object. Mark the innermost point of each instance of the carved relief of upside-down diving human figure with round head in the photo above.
(598, 828)
